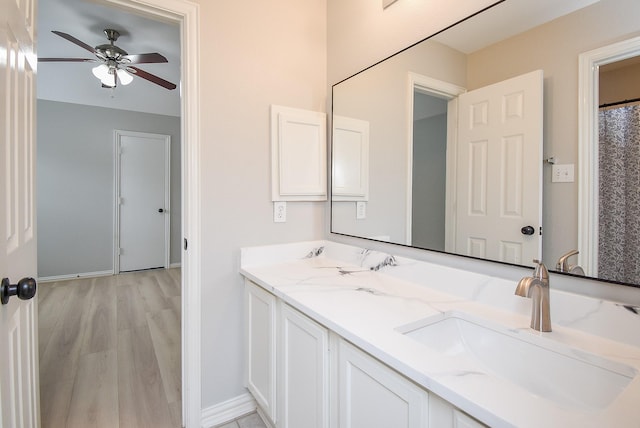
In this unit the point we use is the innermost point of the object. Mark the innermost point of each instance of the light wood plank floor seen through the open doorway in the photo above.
(110, 351)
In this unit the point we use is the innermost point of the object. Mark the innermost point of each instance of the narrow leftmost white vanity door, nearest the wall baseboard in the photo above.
(260, 322)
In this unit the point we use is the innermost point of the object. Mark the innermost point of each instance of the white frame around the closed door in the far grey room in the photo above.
(117, 181)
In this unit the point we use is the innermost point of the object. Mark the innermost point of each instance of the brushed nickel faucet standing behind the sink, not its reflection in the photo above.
(537, 287)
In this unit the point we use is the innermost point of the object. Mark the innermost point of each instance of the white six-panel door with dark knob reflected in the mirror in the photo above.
(499, 181)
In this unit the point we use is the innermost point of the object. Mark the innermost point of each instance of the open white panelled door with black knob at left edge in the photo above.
(19, 394)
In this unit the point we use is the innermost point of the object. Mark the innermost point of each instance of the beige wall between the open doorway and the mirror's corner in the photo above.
(253, 54)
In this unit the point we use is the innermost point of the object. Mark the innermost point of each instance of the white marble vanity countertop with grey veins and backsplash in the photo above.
(365, 297)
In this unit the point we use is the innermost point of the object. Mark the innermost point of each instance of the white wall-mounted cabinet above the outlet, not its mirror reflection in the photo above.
(298, 155)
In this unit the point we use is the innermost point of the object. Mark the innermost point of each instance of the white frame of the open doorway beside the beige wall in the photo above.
(187, 15)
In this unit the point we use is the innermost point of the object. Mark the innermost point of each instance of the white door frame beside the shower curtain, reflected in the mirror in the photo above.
(588, 136)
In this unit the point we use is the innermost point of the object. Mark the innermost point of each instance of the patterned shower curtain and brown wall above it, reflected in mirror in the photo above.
(619, 171)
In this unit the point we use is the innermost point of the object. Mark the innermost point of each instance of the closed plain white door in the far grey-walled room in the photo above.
(143, 204)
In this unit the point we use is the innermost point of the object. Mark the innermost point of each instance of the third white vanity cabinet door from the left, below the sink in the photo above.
(374, 396)
